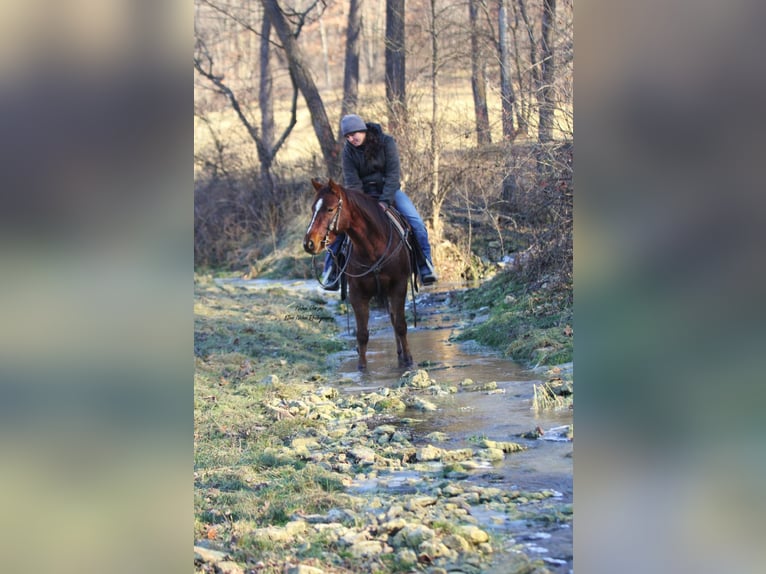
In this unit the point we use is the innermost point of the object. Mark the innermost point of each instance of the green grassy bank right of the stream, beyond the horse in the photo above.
(533, 327)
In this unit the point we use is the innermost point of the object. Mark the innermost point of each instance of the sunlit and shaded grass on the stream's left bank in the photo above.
(241, 338)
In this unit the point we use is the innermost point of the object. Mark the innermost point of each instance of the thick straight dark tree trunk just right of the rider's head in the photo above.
(395, 69)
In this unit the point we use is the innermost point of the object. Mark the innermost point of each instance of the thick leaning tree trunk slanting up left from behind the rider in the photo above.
(300, 72)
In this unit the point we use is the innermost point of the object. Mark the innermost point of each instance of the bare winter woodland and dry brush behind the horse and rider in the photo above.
(477, 93)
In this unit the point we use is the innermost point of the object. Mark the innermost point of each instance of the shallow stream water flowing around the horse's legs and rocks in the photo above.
(465, 417)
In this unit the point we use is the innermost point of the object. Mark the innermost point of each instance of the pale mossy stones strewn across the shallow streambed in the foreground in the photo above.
(409, 504)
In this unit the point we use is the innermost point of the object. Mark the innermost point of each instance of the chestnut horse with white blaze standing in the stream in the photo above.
(378, 264)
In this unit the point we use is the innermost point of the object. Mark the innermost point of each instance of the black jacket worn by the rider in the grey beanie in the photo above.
(380, 175)
